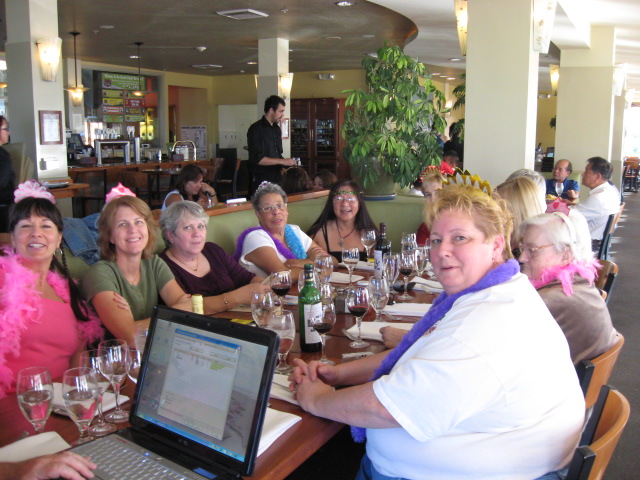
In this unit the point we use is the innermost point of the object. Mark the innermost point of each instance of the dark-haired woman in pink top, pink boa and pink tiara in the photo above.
(43, 320)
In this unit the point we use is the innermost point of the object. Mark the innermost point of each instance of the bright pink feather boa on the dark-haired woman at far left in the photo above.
(20, 305)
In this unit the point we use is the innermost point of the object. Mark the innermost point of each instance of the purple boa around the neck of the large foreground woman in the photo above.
(438, 310)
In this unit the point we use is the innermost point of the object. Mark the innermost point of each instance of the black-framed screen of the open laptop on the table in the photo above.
(206, 381)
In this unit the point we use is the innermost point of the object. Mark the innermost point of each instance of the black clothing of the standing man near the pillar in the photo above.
(264, 140)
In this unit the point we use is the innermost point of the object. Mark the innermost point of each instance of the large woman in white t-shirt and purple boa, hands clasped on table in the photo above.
(482, 387)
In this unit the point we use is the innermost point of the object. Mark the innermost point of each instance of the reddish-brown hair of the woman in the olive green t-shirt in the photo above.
(105, 226)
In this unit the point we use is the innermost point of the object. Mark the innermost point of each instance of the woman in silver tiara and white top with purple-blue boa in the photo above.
(275, 245)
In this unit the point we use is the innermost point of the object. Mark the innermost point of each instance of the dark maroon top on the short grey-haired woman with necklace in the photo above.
(225, 274)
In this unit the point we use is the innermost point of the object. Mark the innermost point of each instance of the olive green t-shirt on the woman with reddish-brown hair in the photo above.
(105, 276)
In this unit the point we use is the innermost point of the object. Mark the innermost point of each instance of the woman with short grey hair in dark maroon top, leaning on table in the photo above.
(202, 267)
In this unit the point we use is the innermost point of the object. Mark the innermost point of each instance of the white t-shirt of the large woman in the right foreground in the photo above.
(491, 393)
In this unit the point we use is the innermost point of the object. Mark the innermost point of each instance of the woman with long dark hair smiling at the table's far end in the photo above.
(344, 216)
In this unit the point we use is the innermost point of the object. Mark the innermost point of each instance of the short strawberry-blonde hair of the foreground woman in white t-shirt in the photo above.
(490, 214)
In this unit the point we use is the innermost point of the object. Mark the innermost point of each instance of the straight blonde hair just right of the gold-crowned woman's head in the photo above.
(523, 201)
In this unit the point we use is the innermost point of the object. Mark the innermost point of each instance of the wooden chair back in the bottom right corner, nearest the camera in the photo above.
(600, 436)
